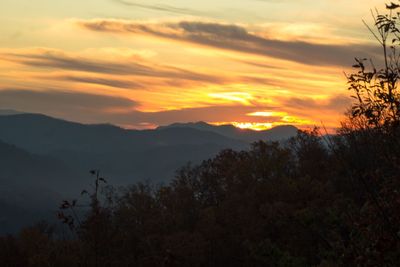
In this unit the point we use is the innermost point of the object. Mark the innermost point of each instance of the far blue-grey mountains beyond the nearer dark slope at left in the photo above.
(127, 155)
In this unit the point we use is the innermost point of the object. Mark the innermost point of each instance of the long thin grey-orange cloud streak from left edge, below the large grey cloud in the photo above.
(120, 75)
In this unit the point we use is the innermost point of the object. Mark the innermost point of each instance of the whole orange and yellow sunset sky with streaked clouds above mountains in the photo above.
(144, 63)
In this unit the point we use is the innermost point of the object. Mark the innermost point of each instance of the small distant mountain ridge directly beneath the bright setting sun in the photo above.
(275, 134)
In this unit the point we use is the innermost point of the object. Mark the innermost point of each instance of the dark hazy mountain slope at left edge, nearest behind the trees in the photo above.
(28, 187)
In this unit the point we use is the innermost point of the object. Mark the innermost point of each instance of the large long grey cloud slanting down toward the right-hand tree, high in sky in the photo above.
(236, 38)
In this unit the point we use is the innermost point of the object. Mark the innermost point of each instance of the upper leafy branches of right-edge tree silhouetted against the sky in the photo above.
(376, 88)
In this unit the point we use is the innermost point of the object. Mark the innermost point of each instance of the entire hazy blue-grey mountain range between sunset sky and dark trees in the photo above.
(43, 159)
